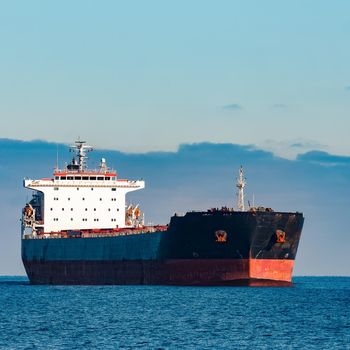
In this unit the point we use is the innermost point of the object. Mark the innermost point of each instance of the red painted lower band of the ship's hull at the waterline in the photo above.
(205, 272)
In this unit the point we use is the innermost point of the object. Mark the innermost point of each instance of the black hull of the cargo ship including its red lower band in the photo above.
(207, 248)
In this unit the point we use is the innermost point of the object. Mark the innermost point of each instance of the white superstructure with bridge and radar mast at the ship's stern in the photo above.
(77, 198)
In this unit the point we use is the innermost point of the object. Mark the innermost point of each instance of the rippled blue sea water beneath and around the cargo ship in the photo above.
(313, 314)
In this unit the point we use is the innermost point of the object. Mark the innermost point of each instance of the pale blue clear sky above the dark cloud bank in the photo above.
(138, 76)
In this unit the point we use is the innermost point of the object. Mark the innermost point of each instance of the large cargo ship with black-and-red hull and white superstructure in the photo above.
(78, 229)
